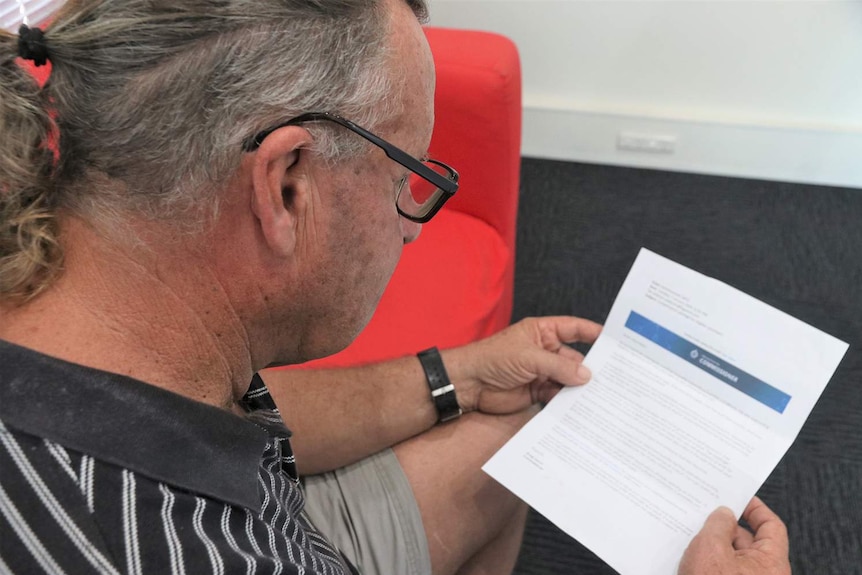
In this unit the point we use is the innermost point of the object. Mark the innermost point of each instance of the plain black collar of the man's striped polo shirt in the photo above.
(132, 424)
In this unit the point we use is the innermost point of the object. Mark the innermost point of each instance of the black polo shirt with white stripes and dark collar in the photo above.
(101, 473)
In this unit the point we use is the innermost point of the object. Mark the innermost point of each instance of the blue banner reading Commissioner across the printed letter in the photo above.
(761, 391)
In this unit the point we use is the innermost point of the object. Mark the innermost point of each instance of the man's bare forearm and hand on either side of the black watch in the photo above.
(340, 416)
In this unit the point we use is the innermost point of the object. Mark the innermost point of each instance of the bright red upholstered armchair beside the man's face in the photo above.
(455, 283)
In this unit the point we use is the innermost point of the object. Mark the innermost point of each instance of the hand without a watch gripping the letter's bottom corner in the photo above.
(723, 547)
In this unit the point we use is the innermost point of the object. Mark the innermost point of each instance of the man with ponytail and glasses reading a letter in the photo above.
(210, 215)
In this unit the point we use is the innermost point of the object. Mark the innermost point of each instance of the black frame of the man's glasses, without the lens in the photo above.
(447, 185)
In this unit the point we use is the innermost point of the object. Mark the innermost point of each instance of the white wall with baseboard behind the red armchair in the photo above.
(769, 89)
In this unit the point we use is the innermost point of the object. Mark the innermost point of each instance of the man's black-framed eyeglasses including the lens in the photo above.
(429, 184)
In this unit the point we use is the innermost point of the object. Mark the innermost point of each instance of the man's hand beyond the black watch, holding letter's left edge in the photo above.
(526, 363)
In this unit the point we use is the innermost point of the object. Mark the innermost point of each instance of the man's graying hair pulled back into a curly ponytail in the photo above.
(152, 101)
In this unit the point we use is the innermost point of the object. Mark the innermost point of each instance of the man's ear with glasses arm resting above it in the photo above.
(279, 188)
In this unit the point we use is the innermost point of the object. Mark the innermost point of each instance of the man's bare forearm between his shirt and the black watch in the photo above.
(339, 416)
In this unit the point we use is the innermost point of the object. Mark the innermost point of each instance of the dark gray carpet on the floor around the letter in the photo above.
(797, 247)
